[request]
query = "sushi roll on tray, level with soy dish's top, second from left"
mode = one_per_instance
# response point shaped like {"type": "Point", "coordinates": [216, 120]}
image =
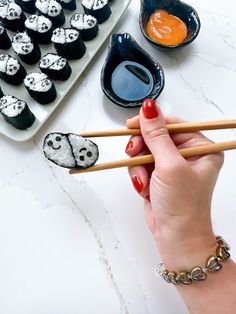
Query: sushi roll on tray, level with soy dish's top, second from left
{"type": "Point", "coordinates": [26, 48]}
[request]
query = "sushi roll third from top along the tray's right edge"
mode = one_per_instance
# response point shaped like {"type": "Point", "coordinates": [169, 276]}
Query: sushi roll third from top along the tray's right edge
{"type": "Point", "coordinates": [68, 43]}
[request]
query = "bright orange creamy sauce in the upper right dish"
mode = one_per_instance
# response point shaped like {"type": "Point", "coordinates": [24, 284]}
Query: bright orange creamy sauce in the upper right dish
{"type": "Point", "coordinates": [166, 28]}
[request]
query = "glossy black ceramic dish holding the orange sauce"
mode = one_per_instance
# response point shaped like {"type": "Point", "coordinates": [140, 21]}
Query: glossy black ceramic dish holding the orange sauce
{"type": "Point", "coordinates": [175, 7]}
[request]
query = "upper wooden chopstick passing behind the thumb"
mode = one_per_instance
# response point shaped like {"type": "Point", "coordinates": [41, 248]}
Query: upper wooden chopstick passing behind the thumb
{"type": "Point", "coordinates": [172, 128]}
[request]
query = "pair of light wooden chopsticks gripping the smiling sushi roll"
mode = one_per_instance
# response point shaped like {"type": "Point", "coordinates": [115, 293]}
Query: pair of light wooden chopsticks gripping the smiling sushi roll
{"type": "Point", "coordinates": [172, 128]}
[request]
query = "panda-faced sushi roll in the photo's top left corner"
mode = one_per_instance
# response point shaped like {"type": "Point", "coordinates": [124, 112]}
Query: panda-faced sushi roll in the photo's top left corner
{"type": "Point", "coordinates": [11, 15]}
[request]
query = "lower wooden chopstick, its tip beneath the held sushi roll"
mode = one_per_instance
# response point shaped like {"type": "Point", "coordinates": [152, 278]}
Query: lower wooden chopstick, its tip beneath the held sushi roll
{"type": "Point", "coordinates": [147, 159]}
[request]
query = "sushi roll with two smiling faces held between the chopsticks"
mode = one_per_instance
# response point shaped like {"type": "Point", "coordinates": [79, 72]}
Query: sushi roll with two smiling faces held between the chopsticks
{"type": "Point", "coordinates": [70, 150]}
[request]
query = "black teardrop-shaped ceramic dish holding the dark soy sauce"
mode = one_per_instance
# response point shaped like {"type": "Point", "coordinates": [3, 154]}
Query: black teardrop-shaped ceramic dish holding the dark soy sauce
{"type": "Point", "coordinates": [124, 49]}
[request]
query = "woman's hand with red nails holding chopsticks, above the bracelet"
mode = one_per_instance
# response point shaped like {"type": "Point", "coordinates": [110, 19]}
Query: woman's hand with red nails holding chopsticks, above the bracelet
{"type": "Point", "coordinates": [177, 191]}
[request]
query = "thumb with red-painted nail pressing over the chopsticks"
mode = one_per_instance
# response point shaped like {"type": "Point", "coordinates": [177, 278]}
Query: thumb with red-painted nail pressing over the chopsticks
{"type": "Point", "coordinates": [155, 134]}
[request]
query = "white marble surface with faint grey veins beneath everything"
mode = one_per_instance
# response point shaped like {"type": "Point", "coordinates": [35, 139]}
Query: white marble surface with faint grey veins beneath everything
{"type": "Point", "coordinates": [79, 244]}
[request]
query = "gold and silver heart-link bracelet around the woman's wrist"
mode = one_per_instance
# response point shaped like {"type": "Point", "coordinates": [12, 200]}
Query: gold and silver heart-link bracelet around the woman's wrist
{"type": "Point", "coordinates": [198, 273]}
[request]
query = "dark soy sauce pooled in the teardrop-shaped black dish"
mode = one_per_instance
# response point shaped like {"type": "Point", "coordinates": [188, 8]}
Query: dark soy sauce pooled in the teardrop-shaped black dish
{"type": "Point", "coordinates": [131, 81]}
